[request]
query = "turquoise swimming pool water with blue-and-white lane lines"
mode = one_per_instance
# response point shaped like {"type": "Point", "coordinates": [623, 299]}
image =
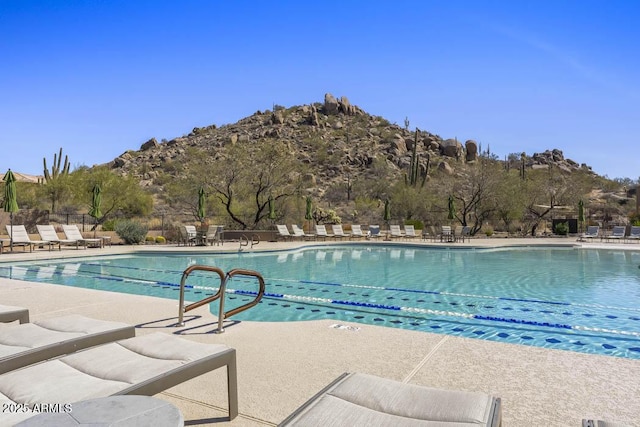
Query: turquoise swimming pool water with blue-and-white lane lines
{"type": "Point", "coordinates": [584, 300]}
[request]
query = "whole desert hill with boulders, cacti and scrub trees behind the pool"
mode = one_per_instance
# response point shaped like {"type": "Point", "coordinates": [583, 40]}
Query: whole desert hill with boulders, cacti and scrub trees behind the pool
{"type": "Point", "coordinates": [349, 163]}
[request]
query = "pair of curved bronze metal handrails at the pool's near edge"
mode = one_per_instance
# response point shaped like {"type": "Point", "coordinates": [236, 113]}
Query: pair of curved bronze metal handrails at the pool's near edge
{"type": "Point", "coordinates": [224, 278]}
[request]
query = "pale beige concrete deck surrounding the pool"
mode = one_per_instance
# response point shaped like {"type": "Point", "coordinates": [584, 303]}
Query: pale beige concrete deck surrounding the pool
{"type": "Point", "coordinates": [281, 365]}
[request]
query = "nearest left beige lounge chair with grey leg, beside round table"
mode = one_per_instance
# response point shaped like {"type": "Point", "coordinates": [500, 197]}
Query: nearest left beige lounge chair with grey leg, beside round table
{"type": "Point", "coordinates": [144, 365]}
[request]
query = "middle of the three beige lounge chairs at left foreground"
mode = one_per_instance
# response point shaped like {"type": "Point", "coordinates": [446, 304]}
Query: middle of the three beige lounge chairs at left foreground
{"type": "Point", "coordinates": [34, 342]}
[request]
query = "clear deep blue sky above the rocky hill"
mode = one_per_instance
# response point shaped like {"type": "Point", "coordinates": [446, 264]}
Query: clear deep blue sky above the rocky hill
{"type": "Point", "coordinates": [101, 77]}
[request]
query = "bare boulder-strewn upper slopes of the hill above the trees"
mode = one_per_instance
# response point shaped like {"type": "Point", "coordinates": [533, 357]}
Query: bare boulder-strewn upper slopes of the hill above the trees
{"type": "Point", "coordinates": [337, 139]}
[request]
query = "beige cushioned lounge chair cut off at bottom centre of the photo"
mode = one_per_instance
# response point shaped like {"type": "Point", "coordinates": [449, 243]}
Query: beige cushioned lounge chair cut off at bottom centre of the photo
{"type": "Point", "coordinates": [364, 400]}
